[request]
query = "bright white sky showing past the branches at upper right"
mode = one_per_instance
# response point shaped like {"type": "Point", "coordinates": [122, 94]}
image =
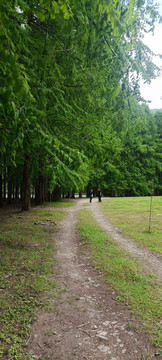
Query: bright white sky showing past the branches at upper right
{"type": "Point", "coordinates": [153, 91]}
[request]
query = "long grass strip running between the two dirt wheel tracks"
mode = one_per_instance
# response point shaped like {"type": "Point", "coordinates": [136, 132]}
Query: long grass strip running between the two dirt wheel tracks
{"type": "Point", "coordinates": [136, 289]}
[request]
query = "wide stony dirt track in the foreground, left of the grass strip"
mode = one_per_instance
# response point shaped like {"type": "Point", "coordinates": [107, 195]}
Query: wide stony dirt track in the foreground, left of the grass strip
{"type": "Point", "coordinates": [86, 322]}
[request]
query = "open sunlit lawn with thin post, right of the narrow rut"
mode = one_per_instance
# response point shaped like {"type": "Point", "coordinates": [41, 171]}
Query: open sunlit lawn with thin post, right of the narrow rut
{"type": "Point", "coordinates": [131, 215]}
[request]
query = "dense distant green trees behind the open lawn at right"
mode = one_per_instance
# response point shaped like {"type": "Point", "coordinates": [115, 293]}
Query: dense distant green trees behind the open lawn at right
{"type": "Point", "coordinates": [132, 158]}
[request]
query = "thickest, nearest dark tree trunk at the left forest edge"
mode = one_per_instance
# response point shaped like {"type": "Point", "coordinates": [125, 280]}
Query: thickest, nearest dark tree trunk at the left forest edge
{"type": "Point", "coordinates": [26, 204]}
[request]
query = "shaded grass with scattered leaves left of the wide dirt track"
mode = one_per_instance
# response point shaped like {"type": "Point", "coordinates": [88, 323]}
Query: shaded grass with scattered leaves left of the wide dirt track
{"type": "Point", "coordinates": [27, 261]}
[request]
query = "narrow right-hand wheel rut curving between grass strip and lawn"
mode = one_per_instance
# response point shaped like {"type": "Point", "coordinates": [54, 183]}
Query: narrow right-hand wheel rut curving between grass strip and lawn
{"type": "Point", "coordinates": [151, 262]}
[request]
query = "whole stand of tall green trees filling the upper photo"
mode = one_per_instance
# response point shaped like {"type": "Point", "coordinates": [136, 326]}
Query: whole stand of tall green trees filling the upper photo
{"type": "Point", "coordinates": [71, 113]}
